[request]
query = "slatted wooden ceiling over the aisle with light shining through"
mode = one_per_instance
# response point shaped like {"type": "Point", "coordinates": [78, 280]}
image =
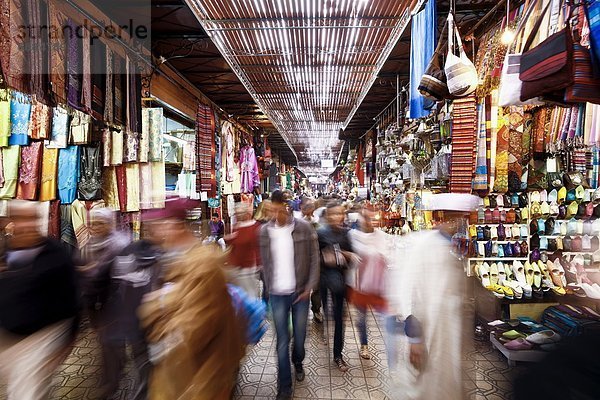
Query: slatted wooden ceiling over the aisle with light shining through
{"type": "Point", "coordinates": [307, 63]}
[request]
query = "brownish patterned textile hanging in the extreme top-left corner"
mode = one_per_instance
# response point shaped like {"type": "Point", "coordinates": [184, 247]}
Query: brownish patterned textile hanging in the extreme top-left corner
{"type": "Point", "coordinates": [15, 72]}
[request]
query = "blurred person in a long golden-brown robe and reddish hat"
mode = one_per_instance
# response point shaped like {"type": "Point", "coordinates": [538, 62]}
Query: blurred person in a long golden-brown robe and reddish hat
{"type": "Point", "coordinates": [196, 342]}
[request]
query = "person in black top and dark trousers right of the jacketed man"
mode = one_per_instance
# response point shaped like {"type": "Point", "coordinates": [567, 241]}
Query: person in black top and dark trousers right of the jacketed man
{"type": "Point", "coordinates": [336, 257]}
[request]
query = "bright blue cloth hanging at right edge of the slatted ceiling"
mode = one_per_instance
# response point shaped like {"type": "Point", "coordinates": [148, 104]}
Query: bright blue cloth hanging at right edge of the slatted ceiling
{"type": "Point", "coordinates": [423, 42]}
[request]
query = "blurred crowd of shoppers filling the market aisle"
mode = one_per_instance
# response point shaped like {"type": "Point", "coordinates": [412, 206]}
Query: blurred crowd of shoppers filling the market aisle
{"type": "Point", "coordinates": [168, 297]}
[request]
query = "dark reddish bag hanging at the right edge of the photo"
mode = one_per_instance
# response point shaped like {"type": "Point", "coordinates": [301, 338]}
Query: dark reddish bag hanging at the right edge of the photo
{"type": "Point", "coordinates": [585, 87]}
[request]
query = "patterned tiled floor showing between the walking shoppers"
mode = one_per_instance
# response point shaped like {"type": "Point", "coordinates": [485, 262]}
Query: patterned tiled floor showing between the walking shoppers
{"type": "Point", "coordinates": [487, 377]}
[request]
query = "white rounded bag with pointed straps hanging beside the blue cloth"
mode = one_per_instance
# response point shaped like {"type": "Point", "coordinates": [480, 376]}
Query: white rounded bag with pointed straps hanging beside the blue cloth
{"type": "Point", "coordinates": [460, 71]}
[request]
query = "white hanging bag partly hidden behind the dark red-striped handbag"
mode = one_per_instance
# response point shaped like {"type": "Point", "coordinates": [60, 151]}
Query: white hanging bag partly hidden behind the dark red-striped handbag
{"type": "Point", "coordinates": [510, 84]}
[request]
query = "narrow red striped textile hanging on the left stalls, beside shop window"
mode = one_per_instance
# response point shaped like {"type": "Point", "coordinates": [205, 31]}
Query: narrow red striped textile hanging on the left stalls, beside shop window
{"type": "Point", "coordinates": [205, 130]}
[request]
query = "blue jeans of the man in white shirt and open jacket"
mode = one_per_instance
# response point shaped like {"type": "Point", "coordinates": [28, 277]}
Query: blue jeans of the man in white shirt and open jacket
{"type": "Point", "coordinates": [281, 307]}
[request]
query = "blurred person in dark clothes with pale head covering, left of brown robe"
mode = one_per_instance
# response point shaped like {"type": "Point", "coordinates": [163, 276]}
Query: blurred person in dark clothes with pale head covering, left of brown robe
{"type": "Point", "coordinates": [100, 294]}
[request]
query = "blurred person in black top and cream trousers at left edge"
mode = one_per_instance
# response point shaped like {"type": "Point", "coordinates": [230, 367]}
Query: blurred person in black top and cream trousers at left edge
{"type": "Point", "coordinates": [38, 305]}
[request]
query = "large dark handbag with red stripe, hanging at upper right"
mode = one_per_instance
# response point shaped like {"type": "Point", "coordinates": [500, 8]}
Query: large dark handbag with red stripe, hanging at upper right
{"type": "Point", "coordinates": [547, 69]}
